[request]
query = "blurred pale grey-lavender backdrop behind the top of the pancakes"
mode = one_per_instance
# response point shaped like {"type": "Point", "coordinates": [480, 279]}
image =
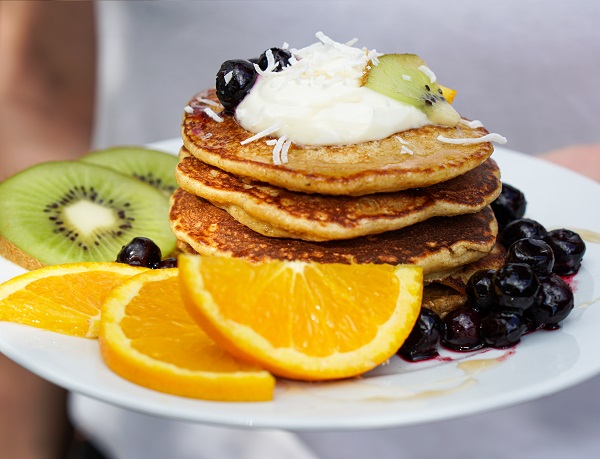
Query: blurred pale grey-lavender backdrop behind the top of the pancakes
{"type": "Point", "coordinates": [527, 70]}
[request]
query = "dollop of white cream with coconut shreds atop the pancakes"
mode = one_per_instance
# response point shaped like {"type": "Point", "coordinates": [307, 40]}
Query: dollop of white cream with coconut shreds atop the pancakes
{"type": "Point", "coordinates": [318, 99]}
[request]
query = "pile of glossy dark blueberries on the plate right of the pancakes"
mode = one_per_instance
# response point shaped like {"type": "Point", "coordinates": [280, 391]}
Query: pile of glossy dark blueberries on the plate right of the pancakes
{"type": "Point", "coordinates": [526, 294]}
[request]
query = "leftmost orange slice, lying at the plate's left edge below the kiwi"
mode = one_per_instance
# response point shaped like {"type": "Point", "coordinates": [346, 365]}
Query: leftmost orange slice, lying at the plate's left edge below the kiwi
{"type": "Point", "coordinates": [62, 298]}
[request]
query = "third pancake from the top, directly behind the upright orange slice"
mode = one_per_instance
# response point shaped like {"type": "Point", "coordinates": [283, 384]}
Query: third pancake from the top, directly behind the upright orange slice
{"type": "Point", "coordinates": [436, 244]}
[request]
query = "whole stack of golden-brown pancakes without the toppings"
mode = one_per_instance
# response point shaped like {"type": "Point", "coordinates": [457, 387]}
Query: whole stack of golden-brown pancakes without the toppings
{"type": "Point", "coordinates": [409, 198]}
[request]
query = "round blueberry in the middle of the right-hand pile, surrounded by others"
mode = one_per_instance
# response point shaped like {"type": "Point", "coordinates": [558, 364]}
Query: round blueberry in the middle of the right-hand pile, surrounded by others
{"type": "Point", "coordinates": [515, 286]}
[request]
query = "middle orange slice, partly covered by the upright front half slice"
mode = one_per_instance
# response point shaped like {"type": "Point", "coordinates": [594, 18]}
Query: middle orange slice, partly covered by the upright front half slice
{"type": "Point", "coordinates": [147, 337]}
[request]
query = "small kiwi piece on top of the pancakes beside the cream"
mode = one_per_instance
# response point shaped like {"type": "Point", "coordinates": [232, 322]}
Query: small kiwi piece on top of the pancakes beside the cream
{"type": "Point", "coordinates": [406, 78]}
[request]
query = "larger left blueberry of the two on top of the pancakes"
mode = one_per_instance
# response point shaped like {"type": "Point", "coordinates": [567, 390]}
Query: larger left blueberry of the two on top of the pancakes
{"type": "Point", "coordinates": [234, 80]}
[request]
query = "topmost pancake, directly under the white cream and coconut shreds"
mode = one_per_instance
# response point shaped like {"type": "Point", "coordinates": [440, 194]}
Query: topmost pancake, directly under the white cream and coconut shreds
{"type": "Point", "coordinates": [351, 170]}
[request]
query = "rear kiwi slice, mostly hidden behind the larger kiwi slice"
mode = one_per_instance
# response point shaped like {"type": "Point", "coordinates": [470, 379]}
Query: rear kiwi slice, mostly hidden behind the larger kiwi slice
{"type": "Point", "coordinates": [154, 167]}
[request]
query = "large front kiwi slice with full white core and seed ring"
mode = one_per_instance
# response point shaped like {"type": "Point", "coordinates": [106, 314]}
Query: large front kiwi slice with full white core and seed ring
{"type": "Point", "coordinates": [68, 211]}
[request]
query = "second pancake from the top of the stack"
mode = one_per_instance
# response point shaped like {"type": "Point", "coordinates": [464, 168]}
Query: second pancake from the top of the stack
{"type": "Point", "coordinates": [276, 212]}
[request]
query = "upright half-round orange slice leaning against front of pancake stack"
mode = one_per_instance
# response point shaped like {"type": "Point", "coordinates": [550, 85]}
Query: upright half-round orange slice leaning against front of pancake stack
{"type": "Point", "coordinates": [306, 321]}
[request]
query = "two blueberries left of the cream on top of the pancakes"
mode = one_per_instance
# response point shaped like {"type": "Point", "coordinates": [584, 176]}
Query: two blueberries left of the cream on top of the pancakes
{"type": "Point", "coordinates": [236, 77]}
